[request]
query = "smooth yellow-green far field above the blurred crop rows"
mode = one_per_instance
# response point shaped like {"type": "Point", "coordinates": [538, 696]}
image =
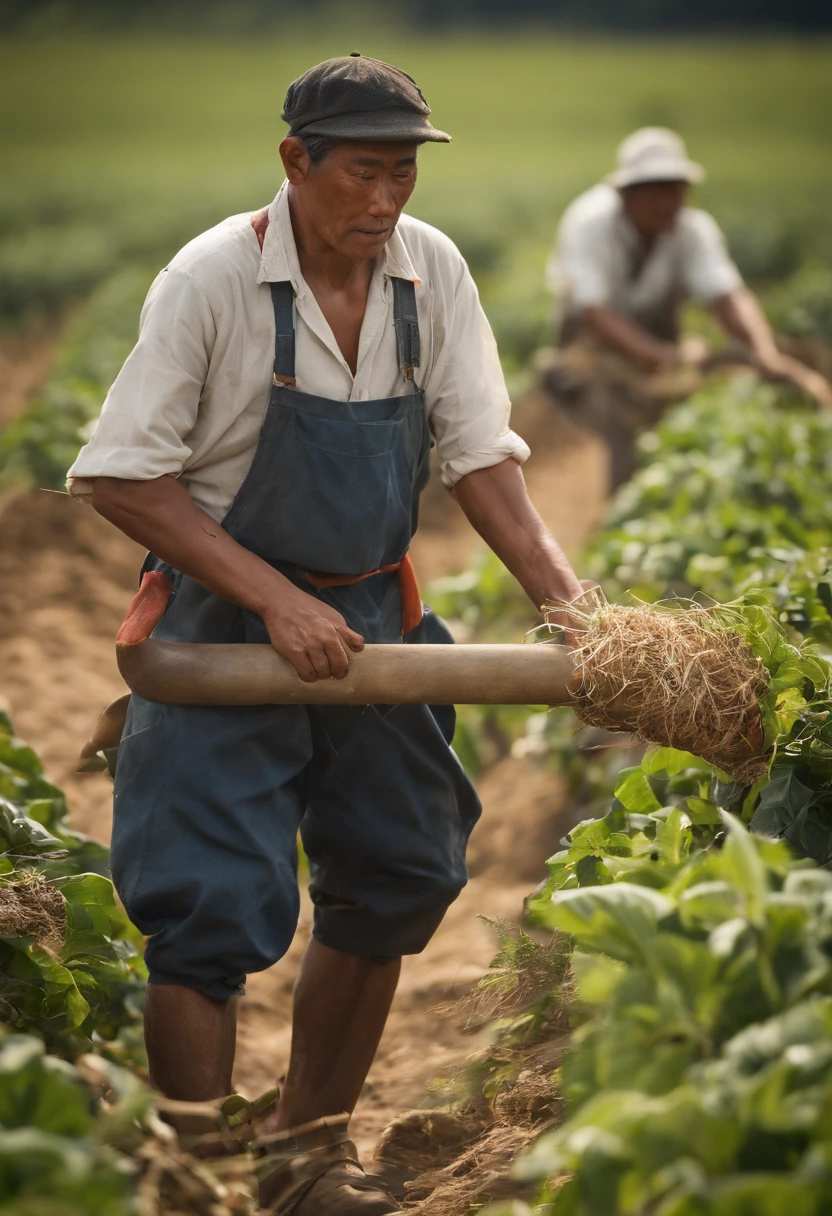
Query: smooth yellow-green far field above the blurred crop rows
{"type": "Point", "coordinates": [535, 120]}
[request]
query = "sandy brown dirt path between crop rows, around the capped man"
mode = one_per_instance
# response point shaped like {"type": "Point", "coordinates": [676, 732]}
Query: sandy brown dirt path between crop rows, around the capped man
{"type": "Point", "coordinates": [66, 578]}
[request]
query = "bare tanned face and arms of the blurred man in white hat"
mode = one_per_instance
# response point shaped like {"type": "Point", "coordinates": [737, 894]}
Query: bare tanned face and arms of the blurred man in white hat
{"type": "Point", "coordinates": [654, 209]}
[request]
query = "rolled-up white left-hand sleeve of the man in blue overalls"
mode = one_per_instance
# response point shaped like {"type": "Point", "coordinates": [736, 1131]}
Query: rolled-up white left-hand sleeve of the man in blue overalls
{"type": "Point", "coordinates": [153, 407]}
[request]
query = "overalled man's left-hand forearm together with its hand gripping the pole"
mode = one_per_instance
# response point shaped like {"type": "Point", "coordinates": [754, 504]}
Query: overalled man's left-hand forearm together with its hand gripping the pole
{"type": "Point", "coordinates": [161, 516]}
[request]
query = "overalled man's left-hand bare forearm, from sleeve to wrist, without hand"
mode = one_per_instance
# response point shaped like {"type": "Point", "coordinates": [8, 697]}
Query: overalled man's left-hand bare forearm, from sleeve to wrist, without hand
{"type": "Point", "coordinates": [161, 516]}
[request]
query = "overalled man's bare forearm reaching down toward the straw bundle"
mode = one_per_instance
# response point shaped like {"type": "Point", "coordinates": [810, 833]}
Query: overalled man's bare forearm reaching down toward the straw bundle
{"type": "Point", "coordinates": [498, 505]}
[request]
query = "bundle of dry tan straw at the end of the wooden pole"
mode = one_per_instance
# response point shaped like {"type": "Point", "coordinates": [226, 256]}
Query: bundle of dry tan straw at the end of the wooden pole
{"type": "Point", "coordinates": [677, 677]}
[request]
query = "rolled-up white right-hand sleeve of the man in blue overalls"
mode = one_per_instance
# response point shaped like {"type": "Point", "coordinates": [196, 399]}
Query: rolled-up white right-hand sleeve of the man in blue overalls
{"type": "Point", "coordinates": [466, 395]}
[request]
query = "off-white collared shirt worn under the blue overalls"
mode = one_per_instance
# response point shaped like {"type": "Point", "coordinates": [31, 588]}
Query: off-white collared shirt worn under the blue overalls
{"type": "Point", "coordinates": [193, 396]}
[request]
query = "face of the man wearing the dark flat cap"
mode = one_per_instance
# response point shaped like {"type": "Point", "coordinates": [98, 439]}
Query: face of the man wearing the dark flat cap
{"type": "Point", "coordinates": [353, 199]}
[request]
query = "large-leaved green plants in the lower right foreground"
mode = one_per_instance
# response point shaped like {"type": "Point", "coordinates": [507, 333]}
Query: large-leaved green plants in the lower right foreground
{"type": "Point", "coordinates": [700, 1080]}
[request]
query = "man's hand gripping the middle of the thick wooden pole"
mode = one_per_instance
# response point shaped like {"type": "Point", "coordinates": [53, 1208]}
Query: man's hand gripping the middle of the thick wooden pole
{"type": "Point", "coordinates": [313, 637]}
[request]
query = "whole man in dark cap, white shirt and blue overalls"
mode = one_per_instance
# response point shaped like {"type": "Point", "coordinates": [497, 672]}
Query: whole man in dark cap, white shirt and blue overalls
{"type": "Point", "coordinates": [268, 441]}
